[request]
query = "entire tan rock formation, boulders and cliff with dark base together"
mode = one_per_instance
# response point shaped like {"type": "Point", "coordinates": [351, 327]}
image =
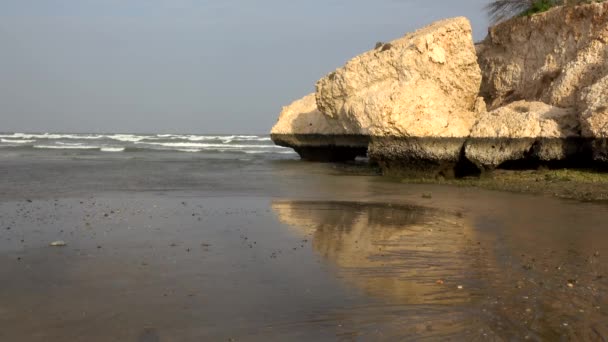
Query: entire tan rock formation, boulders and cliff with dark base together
{"type": "Point", "coordinates": [431, 103]}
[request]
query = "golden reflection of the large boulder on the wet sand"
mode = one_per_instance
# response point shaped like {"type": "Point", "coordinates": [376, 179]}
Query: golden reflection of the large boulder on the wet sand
{"type": "Point", "coordinates": [395, 252]}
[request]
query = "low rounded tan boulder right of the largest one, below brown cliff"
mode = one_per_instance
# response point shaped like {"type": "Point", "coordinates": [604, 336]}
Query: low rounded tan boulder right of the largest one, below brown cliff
{"type": "Point", "coordinates": [524, 133]}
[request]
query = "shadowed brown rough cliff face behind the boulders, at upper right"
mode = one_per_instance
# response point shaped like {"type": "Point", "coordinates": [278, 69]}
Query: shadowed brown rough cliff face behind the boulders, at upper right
{"type": "Point", "coordinates": [549, 57]}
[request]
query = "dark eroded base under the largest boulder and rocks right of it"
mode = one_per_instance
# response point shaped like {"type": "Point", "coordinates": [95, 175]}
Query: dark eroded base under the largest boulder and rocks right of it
{"type": "Point", "coordinates": [460, 157]}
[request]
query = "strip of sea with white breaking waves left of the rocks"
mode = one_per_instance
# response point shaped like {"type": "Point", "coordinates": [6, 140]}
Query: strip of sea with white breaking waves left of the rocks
{"type": "Point", "coordinates": [85, 143]}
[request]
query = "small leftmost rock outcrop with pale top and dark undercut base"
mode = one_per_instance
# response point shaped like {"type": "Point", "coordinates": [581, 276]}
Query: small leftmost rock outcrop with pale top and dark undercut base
{"type": "Point", "coordinates": [315, 136]}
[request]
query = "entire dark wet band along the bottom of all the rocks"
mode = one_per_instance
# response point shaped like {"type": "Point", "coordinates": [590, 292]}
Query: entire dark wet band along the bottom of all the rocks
{"type": "Point", "coordinates": [430, 158]}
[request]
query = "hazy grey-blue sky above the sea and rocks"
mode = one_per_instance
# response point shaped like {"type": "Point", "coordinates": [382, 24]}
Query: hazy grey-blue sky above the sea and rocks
{"type": "Point", "coordinates": [186, 66]}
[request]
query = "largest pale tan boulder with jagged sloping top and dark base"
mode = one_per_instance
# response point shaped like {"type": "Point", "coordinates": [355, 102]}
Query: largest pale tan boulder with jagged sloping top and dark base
{"type": "Point", "coordinates": [414, 96]}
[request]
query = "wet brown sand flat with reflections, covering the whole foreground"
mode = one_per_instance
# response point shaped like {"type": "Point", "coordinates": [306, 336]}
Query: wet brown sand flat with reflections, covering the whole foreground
{"type": "Point", "coordinates": [160, 248]}
